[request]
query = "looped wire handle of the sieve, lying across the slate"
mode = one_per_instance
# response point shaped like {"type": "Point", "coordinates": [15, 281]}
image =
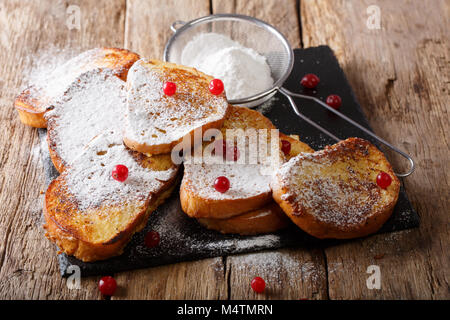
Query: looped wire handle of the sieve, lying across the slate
{"type": "Point", "coordinates": [288, 94]}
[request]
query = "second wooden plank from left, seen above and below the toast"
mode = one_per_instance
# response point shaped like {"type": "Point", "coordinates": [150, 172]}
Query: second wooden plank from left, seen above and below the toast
{"type": "Point", "coordinates": [147, 31]}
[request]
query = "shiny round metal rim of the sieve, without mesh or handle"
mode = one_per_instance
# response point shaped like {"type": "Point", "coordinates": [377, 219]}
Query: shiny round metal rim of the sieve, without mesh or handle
{"type": "Point", "coordinates": [287, 47]}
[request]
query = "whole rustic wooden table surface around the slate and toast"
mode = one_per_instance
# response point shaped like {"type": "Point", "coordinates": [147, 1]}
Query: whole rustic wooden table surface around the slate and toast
{"type": "Point", "coordinates": [400, 74]}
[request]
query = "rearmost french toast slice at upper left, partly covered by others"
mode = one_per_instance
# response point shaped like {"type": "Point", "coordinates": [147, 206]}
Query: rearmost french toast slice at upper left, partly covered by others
{"type": "Point", "coordinates": [33, 102]}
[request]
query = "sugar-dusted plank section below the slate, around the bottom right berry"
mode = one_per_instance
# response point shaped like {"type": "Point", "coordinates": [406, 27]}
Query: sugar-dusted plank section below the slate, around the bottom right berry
{"type": "Point", "coordinates": [293, 274]}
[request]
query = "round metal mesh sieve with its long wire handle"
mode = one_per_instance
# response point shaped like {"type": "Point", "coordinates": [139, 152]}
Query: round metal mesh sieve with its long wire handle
{"type": "Point", "coordinates": [269, 42]}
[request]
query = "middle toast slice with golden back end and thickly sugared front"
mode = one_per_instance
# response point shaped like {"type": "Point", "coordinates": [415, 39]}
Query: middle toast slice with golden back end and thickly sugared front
{"type": "Point", "coordinates": [249, 181]}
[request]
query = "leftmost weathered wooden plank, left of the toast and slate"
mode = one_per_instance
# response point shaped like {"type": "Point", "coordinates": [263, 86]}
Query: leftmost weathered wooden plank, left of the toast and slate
{"type": "Point", "coordinates": [28, 263]}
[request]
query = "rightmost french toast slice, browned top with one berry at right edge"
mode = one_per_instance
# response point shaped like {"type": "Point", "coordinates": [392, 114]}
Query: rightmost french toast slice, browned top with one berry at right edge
{"type": "Point", "coordinates": [333, 193]}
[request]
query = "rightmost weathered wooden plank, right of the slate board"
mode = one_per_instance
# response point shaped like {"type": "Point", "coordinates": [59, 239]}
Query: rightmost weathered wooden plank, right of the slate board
{"type": "Point", "coordinates": [400, 76]}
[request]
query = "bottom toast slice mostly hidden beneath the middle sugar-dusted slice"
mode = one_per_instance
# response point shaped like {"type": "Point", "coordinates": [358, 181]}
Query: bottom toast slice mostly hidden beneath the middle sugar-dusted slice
{"type": "Point", "coordinates": [268, 219]}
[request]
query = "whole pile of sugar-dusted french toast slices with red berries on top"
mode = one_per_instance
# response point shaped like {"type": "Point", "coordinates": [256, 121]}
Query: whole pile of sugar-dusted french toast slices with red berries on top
{"type": "Point", "coordinates": [119, 128]}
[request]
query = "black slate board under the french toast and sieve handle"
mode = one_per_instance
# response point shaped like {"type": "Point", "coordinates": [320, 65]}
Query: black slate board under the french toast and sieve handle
{"type": "Point", "coordinates": [183, 239]}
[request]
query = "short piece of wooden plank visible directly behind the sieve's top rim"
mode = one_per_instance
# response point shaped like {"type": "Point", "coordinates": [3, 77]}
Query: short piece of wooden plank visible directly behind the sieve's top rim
{"type": "Point", "coordinates": [282, 14]}
